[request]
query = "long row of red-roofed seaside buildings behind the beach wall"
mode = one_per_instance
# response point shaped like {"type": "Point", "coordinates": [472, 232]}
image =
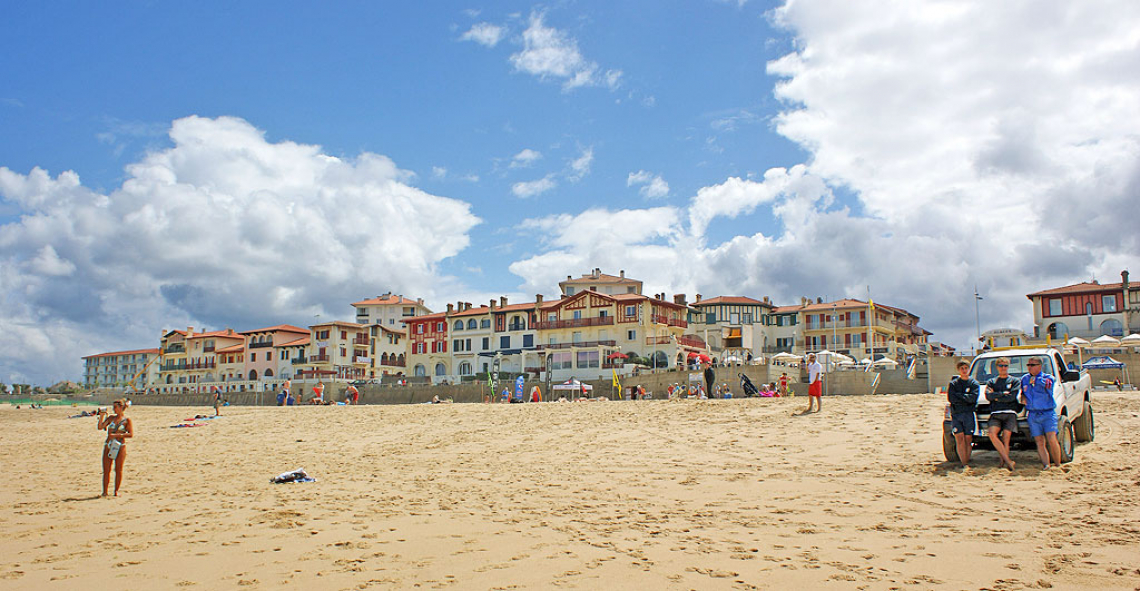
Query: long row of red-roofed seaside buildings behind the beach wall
{"type": "Point", "coordinates": [595, 327]}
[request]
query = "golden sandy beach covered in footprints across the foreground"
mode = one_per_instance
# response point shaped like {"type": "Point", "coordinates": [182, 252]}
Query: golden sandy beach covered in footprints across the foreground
{"type": "Point", "coordinates": [720, 495]}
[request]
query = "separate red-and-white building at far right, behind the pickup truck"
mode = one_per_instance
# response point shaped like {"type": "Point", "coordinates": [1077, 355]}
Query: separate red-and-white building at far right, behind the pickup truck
{"type": "Point", "coordinates": [1087, 310]}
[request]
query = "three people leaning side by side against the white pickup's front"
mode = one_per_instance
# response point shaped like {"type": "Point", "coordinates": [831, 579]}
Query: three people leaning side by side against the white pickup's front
{"type": "Point", "coordinates": [1007, 396]}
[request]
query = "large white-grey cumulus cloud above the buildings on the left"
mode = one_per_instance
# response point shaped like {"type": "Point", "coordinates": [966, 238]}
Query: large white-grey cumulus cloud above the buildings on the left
{"type": "Point", "coordinates": [223, 229]}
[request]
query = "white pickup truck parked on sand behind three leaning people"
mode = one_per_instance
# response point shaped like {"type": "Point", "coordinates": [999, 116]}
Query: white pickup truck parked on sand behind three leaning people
{"type": "Point", "coordinates": [1071, 394]}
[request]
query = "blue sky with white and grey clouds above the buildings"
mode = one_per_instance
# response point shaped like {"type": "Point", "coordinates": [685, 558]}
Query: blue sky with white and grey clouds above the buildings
{"type": "Point", "coordinates": [218, 165]}
